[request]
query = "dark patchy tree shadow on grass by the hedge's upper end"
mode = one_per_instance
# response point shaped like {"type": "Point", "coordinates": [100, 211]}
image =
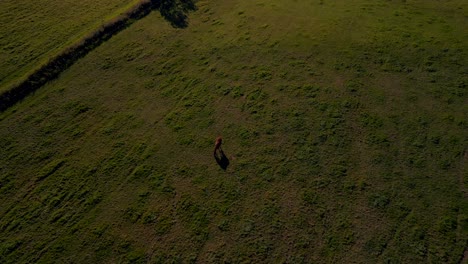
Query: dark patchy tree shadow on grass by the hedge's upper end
{"type": "Point", "coordinates": [175, 11]}
